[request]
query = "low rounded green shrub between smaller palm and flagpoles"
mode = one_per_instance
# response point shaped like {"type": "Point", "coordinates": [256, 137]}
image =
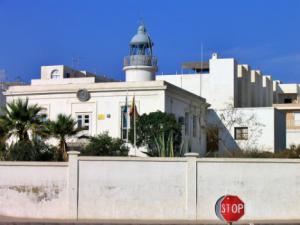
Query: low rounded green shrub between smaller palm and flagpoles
{"type": "Point", "coordinates": [104, 145]}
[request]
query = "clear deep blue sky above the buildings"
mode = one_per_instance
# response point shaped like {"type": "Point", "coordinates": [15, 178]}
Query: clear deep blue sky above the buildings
{"type": "Point", "coordinates": [262, 33]}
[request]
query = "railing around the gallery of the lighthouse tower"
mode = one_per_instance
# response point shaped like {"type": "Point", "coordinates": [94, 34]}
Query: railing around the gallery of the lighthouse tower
{"type": "Point", "coordinates": [140, 60]}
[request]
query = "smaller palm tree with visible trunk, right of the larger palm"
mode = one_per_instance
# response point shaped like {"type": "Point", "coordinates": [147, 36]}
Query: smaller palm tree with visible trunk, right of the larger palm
{"type": "Point", "coordinates": [62, 128]}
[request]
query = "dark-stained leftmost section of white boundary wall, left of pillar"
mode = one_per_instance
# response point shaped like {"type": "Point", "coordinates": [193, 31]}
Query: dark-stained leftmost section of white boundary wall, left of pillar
{"type": "Point", "coordinates": [34, 189]}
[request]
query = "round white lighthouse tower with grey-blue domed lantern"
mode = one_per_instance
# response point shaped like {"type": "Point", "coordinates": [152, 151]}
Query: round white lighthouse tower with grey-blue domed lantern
{"type": "Point", "coordinates": [140, 65]}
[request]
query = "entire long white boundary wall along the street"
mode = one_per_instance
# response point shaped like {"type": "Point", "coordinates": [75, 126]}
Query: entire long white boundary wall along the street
{"type": "Point", "coordinates": [149, 188]}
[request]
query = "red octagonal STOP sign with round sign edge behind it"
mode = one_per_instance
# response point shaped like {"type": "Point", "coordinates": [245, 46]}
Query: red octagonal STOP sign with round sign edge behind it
{"type": "Point", "coordinates": [230, 208]}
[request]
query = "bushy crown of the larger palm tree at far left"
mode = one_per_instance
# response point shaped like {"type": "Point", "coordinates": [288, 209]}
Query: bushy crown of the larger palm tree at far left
{"type": "Point", "coordinates": [19, 118]}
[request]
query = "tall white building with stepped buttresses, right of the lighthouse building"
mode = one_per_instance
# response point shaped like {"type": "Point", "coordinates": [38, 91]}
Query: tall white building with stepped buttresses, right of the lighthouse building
{"type": "Point", "coordinates": [241, 114]}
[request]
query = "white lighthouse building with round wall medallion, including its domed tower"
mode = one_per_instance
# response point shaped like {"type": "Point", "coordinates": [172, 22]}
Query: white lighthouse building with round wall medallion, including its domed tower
{"type": "Point", "coordinates": [98, 104]}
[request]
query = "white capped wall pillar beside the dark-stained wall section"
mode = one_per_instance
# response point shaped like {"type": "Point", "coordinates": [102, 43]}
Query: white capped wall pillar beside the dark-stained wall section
{"type": "Point", "coordinates": [73, 184]}
